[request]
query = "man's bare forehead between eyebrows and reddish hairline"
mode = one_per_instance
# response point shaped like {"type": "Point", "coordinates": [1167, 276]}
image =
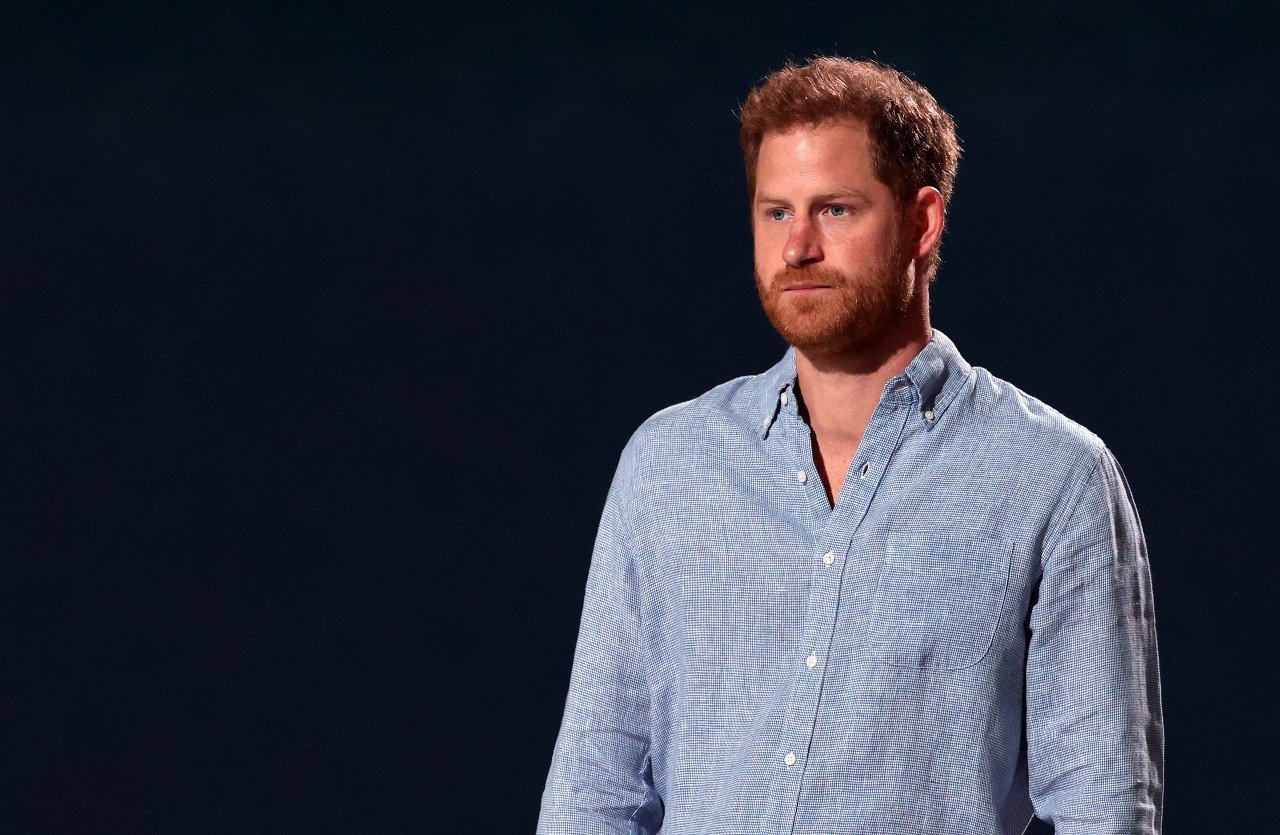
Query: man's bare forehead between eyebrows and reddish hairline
{"type": "Point", "coordinates": [833, 149]}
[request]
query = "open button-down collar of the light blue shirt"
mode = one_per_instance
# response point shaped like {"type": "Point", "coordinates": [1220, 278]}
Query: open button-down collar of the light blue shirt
{"type": "Point", "coordinates": [930, 384]}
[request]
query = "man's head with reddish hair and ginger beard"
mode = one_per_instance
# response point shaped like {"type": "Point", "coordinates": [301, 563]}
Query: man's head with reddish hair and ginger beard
{"type": "Point", "coordinates": [849, 167]}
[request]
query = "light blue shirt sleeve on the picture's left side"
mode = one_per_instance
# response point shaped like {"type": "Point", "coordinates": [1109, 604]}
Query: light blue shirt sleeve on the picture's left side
{"type": "Point", "coordinates": [600, 779]}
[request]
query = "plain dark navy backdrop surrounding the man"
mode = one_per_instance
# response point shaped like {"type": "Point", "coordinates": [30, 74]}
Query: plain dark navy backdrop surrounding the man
{"type": "Point", "coordinates": [326, 328]}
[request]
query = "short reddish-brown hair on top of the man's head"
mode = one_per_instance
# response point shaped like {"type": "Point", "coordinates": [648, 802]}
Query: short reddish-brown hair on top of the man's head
{"type": "Point", "coordinates": [913, 140]}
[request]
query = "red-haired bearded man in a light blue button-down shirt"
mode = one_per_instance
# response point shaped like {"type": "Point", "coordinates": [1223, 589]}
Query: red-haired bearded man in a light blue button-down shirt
{"type": "Point", "coordinates": [875, 588]}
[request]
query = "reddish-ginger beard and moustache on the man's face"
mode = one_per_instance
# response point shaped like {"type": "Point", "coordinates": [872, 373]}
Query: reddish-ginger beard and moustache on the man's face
{"type": "Point", "coordinates": [858, 311]}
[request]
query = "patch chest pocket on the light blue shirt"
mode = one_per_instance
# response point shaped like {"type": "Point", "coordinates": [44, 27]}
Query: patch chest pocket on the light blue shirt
{"type": "Point", "coordinates": [940, 599]}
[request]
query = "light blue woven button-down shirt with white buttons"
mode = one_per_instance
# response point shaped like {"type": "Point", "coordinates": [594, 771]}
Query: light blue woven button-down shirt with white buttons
{"type": "Point", "coordinates": [964, 641]}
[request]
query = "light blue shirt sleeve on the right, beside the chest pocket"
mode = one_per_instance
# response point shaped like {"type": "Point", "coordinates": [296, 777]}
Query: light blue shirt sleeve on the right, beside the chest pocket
{"type": "Point", "coordinates": [1095, 726]}
